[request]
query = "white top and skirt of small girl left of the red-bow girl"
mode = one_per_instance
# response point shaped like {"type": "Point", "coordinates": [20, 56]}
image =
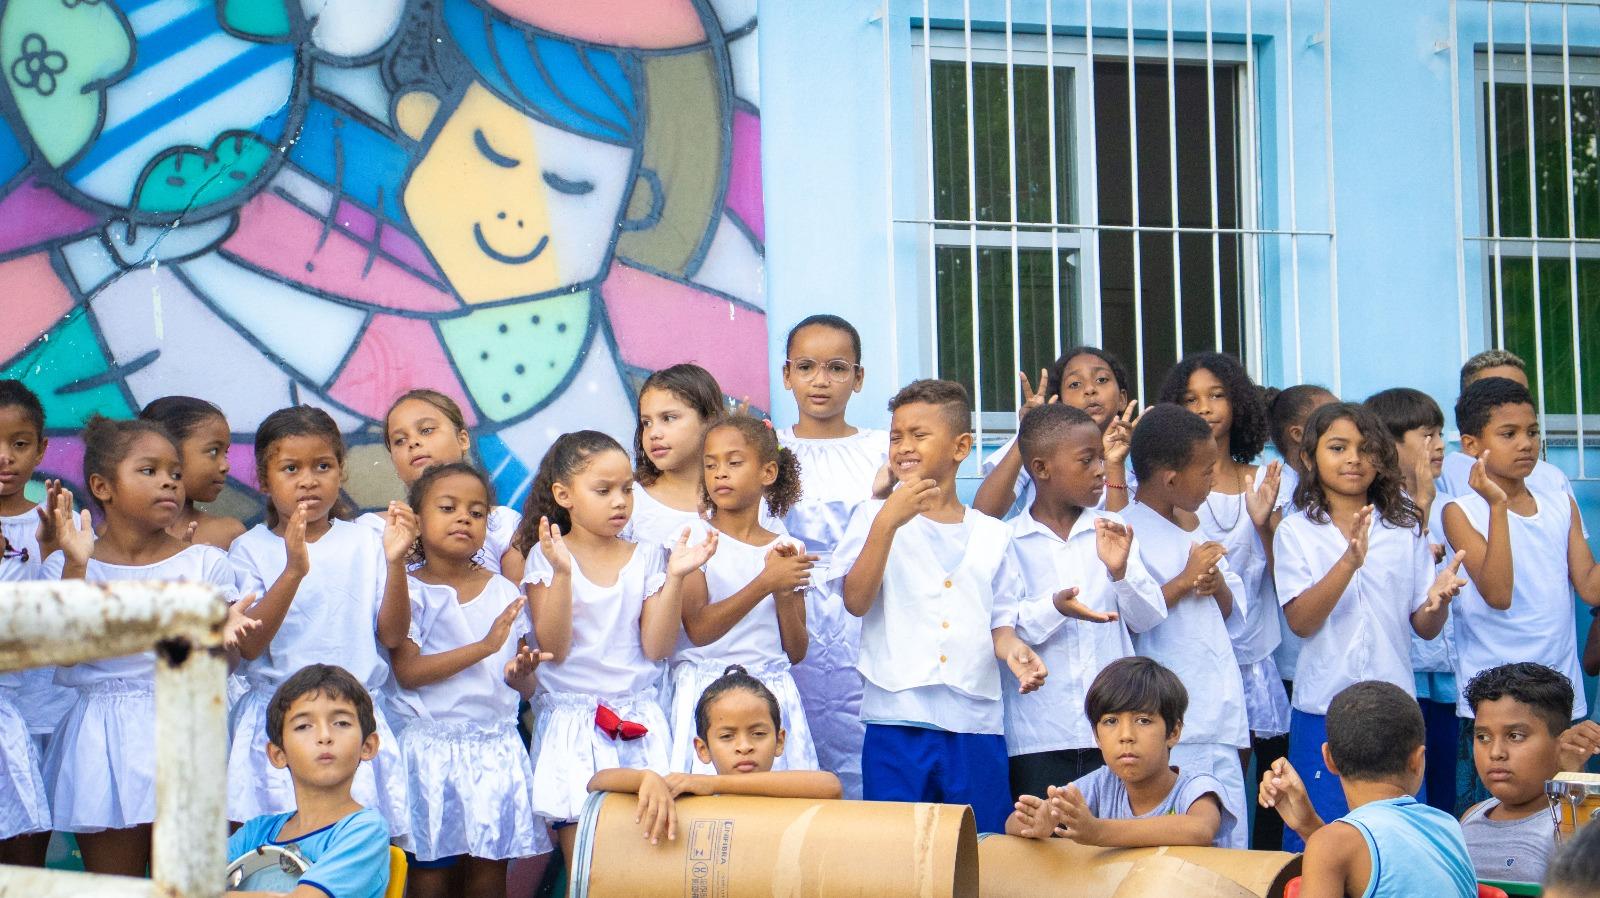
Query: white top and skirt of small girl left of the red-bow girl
{"type": "Point", "coordinates": [471, 782]}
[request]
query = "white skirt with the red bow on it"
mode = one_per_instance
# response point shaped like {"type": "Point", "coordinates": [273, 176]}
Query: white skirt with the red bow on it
{"type": "Point", "coordinates": [569, 750]}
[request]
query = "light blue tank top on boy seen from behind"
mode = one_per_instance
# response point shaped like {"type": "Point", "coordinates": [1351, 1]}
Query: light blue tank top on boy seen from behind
{"type": "Point", "coordinates": [1415, 849]}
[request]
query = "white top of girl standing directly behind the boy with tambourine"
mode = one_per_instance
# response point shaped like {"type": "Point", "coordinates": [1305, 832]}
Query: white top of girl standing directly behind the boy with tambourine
{"type": "Point", "coordinates": [334, 619]}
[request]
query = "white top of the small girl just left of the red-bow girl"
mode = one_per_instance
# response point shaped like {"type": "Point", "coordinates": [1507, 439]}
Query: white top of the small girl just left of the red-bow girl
{"type": "Point", "coordinates": [441, 622]}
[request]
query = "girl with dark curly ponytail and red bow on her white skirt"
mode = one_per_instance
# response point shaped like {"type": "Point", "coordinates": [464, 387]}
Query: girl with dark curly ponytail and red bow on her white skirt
{"type": "Point", "coordinates": [609, 612]}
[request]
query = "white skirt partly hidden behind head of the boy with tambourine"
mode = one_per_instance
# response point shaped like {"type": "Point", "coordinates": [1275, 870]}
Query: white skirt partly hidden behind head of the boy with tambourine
{"type": "Point", "coordinates": [257, 788]}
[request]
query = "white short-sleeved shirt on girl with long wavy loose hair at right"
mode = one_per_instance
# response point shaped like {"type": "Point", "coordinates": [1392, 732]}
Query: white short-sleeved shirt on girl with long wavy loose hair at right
{"type": "Point", "coordinates": [1369, 633]}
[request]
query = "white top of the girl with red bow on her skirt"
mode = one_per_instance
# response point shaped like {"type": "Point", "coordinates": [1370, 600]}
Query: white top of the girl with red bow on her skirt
{"type": "Point", "coordinates": [607, 657]}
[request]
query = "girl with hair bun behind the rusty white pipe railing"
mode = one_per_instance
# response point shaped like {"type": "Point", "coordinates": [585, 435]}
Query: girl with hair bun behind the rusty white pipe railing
{"type": "Point", "coordinates": [102, 766]}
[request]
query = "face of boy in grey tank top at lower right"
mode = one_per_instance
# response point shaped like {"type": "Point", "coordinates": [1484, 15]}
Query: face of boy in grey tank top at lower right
{"type": "Point", "coordinates": [1513, 750]}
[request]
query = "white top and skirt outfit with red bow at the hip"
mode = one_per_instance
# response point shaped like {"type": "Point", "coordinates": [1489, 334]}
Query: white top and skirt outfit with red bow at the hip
{"type": "Point", "coordinates": [606, 667]}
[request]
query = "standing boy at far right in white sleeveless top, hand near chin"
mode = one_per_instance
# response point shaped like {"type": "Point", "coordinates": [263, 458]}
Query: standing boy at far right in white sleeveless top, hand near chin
{"type": "Point", "coordinates": [1524, 545]}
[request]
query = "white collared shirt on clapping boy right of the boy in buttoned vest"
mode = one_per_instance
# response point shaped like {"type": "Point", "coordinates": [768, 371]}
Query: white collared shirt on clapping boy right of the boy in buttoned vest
{"type": "Point", "coordinates": [1076, 652]}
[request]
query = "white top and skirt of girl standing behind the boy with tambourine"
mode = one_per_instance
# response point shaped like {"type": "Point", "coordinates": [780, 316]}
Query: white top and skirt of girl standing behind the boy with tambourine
{"type": "Point", "coordinates": [334, 620]}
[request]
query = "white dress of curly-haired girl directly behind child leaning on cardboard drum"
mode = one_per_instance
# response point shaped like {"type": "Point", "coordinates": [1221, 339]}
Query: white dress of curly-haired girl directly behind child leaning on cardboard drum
{"type": "Point", "coordinates": [758, 646]}
